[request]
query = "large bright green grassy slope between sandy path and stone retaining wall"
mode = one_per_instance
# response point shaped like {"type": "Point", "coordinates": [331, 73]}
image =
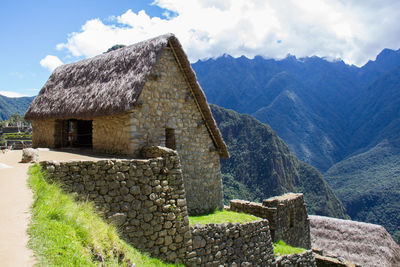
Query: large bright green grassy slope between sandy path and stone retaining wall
{"type": "Point", "coordinates": [68, 233]}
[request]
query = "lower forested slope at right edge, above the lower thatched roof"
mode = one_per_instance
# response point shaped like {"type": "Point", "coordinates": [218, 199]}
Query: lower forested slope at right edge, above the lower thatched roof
{"type": "Point", "coordinates": [369, 185]}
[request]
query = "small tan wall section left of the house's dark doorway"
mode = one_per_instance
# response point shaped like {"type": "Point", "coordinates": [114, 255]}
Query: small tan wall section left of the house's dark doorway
{"type": "Point", "coordinates": [43, 133]}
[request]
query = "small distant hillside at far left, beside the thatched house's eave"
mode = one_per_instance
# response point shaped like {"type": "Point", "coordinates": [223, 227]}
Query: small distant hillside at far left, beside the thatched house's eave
{"type": "Point", "coordinates": [12, 105]}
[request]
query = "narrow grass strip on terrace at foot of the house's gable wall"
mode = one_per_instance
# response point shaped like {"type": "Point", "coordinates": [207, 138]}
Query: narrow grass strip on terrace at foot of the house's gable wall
{"type": "Point", "coordinates": [222, 217]}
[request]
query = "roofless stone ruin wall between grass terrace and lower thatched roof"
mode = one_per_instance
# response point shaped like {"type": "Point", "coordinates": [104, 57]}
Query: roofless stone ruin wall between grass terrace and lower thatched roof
{"type": "Point", "coordinates": [286, 214]}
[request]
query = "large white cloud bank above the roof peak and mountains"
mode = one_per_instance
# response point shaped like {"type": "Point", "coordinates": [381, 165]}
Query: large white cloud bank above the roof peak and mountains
{"type": "Point", "coordinates": [352, 30]}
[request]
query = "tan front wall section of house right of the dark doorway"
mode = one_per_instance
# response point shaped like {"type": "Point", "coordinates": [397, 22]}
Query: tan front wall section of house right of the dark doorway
{"type": "Point", "coordinates": [111, 134]}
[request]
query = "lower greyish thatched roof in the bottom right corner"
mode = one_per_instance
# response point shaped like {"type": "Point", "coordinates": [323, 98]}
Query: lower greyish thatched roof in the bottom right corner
{"type": "Point", "coordinates": [364, 244]}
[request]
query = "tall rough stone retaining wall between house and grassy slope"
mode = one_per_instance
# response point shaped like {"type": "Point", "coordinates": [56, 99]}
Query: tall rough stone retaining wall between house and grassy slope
{"type": "Point", "coordinates": [145, 199]}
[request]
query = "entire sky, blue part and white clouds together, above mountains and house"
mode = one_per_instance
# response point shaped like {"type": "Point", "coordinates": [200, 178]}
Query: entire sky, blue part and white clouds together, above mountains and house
{"type": "Point", "coordinates": [39, 35]}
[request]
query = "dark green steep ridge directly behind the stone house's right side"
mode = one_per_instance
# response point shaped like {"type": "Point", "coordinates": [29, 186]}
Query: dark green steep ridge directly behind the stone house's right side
{"type": "Point", "coordinates": [261, 166]}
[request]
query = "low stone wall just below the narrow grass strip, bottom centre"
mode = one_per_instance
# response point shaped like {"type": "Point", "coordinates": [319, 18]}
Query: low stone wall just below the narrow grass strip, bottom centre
{"type": "Point", "coordinates": [229, 244]}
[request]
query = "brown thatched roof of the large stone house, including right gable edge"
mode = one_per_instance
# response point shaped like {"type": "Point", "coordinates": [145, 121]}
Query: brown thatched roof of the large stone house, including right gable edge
{"type": "Point", "coordinates": [111, 83]}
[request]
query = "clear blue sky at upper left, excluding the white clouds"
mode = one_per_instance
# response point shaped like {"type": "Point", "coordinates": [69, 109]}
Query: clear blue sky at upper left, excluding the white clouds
{"type": "Point", "coordinates": [31, 29]}
